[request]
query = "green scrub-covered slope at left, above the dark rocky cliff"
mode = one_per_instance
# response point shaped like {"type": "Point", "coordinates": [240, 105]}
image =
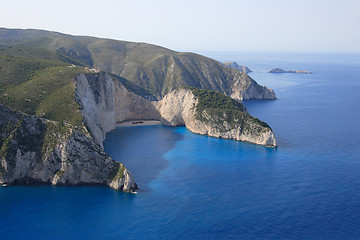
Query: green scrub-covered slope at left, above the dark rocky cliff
{"type": "Point", "coordinates": [41, 87]}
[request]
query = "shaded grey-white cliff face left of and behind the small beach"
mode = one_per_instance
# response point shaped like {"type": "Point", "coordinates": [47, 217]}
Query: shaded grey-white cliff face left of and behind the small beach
{"type": "Point", "coordinates": [105, 102]}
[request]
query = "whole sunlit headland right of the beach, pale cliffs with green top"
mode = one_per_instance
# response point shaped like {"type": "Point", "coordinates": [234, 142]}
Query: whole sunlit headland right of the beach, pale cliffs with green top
{"type": "Point", "coordinates": [209, 113]}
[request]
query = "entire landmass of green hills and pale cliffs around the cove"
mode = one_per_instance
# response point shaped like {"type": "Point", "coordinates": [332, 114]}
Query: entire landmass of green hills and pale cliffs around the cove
{"type": "Point", "coordinates": [74, 90]}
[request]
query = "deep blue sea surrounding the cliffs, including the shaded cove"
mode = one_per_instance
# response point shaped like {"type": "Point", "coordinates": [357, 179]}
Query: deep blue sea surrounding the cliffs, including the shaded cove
{"type": "Point", "coordinates": [199, 187]}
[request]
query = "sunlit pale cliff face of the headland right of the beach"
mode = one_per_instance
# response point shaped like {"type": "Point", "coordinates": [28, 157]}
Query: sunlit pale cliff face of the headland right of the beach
{"type": "Point", "coordinates": [178, 108]}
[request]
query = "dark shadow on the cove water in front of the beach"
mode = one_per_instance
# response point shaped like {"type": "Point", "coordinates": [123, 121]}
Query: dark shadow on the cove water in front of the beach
{"type": "Point", "coordinates": [141, 149]}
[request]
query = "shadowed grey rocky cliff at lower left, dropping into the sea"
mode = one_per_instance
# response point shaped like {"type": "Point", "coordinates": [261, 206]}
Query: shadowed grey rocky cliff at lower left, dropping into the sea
{"type": "Point", "coordinates": [42, 151]}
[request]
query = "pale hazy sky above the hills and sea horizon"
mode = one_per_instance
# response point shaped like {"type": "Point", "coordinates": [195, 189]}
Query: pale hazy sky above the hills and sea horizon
{"type": "Point", "coordinates": [202, 25]}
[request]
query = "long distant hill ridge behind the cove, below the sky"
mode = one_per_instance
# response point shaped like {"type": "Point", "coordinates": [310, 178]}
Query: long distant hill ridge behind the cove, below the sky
{"type": "Point", "coordinates": [155, 69]}
